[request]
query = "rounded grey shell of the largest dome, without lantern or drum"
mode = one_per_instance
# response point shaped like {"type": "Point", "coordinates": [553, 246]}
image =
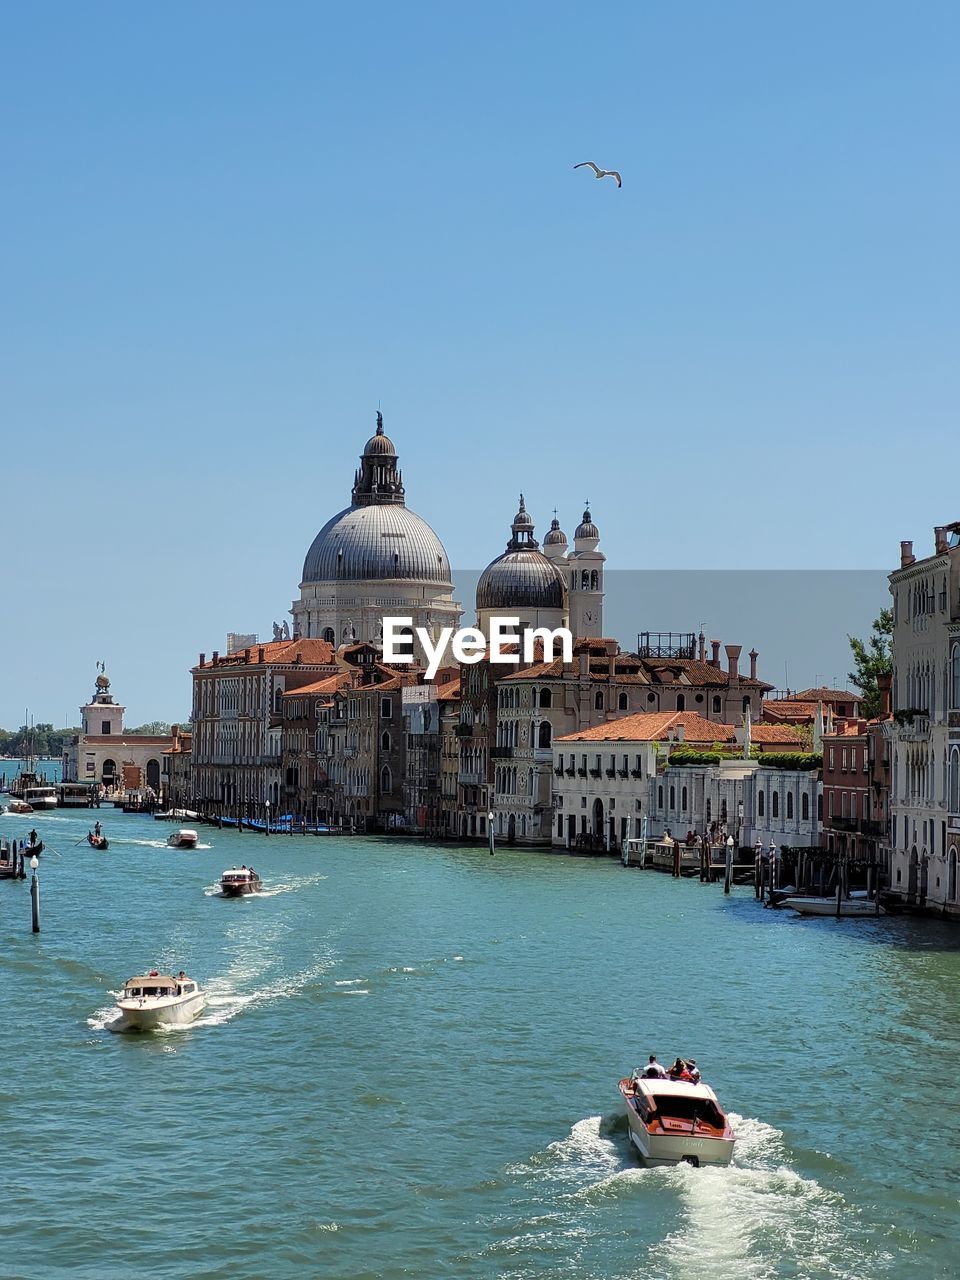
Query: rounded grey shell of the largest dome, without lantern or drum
{"type": "Point", "coordinates": [377, 542]}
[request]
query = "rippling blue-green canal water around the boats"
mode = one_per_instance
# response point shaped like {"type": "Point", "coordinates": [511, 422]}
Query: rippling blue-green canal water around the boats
{"type": "Point", "coordinates": [409, 1068]}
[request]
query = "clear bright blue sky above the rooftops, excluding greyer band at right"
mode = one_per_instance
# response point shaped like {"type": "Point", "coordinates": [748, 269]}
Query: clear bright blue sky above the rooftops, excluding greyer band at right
{"type": "Point", "coordinates": [231, 230]}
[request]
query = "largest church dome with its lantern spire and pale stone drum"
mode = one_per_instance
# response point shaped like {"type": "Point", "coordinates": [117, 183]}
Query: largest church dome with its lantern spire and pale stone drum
{"type": "Point", "coordinates": [374, 559]}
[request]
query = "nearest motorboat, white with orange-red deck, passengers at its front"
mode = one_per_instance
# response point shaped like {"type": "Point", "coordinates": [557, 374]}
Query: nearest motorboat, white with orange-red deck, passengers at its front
{"type": "Point", "coordinates": [675, 1122]}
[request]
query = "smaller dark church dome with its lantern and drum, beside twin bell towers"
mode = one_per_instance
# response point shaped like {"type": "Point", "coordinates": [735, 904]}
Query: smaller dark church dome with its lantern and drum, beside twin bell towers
{"type": "Point", "coordinates": [523, 583]}
